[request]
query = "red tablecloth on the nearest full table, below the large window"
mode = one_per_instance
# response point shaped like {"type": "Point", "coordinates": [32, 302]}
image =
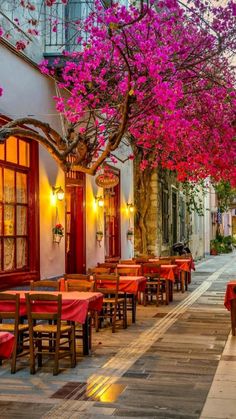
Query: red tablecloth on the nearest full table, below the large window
{"type": "Point", "coordinates": [75, 305]}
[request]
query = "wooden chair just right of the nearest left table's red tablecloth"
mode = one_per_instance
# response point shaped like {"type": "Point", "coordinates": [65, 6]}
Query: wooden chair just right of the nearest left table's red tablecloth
{"type": "Point", "coordinates": [114, 307]}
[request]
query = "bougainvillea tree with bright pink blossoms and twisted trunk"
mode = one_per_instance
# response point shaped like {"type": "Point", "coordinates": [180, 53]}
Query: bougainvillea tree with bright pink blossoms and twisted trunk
{"type": "Point", "coordinates": [160, 75]}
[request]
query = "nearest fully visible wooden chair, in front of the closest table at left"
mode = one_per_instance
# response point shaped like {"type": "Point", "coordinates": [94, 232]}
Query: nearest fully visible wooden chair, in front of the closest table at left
{"type": "Point", "coordinates": [45, 338]}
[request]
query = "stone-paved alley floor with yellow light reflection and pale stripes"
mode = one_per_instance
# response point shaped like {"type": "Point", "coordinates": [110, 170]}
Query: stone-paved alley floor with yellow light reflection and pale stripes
{"type": "Point", "coordinates": [161, 367]}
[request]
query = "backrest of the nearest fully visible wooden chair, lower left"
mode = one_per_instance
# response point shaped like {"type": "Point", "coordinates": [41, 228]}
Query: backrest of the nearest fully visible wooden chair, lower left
{"type": "Point", "coordinates": [43, 307]}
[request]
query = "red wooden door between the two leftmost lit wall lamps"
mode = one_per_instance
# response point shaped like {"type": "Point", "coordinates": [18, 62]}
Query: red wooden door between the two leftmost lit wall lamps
{"type": "Point", "coordinates": [75, 229]}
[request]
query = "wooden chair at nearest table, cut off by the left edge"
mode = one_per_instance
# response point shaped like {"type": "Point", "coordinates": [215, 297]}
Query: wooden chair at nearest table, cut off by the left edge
{"type": "Point", "coordinates": [20, 331]}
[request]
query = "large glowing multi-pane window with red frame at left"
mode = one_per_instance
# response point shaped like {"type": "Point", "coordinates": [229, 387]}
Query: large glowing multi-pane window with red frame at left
{"type": "Point", "coordinates": [18, 212]}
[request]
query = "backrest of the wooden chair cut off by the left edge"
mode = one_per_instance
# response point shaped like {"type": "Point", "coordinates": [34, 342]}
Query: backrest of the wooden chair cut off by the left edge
{"type": "Point", "coordinates": [11, 302]}
